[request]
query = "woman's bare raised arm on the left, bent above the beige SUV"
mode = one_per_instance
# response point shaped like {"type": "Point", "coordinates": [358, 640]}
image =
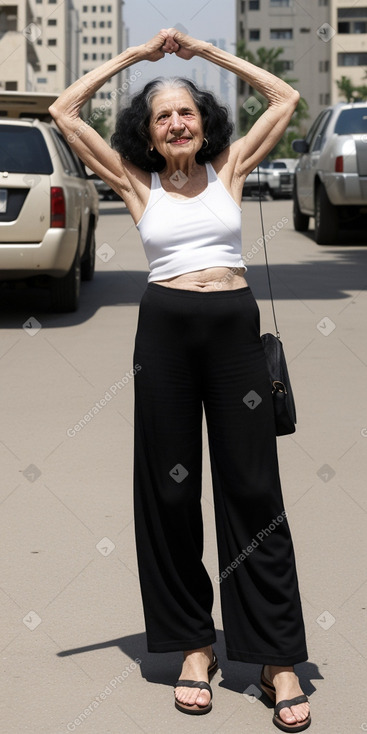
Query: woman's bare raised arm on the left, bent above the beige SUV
{"type": "Point", "coordinates": [122, 176]}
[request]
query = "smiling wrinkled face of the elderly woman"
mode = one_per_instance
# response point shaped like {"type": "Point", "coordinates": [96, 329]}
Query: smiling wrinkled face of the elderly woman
{"type": "Point", "coordinates": [175, 126]}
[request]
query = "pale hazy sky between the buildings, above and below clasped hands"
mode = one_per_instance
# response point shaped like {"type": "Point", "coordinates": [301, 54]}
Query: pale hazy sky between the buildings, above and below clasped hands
{"type": "Point", "coordinates": [202, 19]}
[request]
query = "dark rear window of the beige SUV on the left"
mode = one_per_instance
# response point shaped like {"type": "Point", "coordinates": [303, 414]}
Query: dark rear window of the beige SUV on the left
{"type": "Point", "coordinates": [23, 150]}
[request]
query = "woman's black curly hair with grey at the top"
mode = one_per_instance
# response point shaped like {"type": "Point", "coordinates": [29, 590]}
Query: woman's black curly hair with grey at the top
{"type": "Point", "coordinates": [131, 137]}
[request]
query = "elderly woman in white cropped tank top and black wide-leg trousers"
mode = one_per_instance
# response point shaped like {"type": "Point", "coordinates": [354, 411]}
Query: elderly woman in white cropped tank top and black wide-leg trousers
{"type": "Point", "coordinates": [198, 345]}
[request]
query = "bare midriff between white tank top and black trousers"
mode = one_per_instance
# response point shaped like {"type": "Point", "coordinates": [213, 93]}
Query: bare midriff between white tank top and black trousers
{"type": "Point", "coordinates": [209, 279]}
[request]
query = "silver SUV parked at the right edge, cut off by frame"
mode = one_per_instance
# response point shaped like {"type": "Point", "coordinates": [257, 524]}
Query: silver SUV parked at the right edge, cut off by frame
{"type": "Point", "coordinates": [331, 175]}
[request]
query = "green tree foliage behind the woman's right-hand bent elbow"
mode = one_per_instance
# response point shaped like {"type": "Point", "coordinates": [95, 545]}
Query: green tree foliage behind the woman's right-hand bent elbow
{"type": "Point", "coordinates": [269, 59]}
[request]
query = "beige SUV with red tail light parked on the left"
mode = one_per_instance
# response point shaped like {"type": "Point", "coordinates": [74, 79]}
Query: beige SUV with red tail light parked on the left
{"type": "Point", "coordinates": [48, 211]}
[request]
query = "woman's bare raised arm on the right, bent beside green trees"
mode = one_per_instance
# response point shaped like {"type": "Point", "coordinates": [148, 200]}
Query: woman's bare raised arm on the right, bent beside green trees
{"type": "Point", "coordinates": [251, 149]}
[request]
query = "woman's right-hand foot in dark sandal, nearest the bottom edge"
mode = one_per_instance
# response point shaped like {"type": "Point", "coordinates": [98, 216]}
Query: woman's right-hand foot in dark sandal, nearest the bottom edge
{"type": "Point", "coordinates": [285, 685]}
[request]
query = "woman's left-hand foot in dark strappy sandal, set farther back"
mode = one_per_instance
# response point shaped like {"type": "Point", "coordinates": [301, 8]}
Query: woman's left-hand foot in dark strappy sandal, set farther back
{"type": "Point", "coordinates": [195, 667]}
